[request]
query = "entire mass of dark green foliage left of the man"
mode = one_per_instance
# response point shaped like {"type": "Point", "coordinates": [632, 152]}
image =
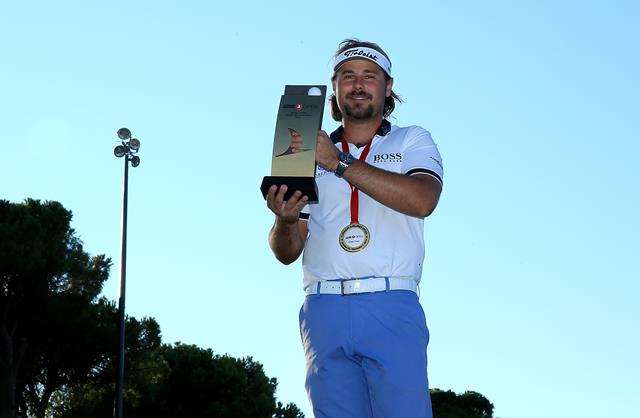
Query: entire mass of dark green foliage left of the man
{"type": "Point", "coordinates": [58, 340]}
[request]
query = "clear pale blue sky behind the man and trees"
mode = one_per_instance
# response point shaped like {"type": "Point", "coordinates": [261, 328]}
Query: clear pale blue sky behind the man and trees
{"type": "Point", "coordinates": [531, 281]}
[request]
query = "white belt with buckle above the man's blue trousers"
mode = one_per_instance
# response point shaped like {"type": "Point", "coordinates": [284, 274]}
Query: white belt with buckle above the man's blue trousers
{"type": "Point", "coordinates": [367, 285]}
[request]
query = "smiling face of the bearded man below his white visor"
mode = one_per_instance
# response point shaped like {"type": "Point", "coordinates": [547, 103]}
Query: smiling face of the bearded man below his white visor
{"type": "Point", "coordinates": [361, 89]}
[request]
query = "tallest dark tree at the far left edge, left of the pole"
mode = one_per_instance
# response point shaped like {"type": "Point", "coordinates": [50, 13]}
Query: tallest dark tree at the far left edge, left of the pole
{"type": "Point", "coordinates": [47, 284]}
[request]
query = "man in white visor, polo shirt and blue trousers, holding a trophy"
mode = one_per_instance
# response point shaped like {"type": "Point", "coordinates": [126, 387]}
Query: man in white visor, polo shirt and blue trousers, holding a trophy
{"type": "Point", "coordinates": [362, 326]}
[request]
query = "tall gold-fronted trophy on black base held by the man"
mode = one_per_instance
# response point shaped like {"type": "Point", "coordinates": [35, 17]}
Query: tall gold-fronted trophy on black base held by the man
{"type": "Point", "coordinates": [293, 161]}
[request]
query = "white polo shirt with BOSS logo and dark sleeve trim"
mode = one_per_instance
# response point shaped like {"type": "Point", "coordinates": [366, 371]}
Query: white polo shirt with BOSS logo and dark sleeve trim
{"type": "Point", "coordinates": [396, 246]}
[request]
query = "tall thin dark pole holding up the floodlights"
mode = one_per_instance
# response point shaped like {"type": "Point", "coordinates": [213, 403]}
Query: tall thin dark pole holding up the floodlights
{"type": "Point", "coordinates": [121, 300]}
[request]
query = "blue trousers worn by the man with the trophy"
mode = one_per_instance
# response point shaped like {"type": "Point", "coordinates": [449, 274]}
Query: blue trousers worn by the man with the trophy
{"type": "Point", "coordinates": [366, 355]}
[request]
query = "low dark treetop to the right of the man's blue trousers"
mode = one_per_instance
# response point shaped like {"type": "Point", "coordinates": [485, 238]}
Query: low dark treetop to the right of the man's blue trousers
{"type": "Point", "coordinates": [447, 404]}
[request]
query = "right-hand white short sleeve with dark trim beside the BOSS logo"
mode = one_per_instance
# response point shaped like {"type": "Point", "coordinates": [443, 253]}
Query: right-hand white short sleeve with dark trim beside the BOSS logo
{"type": "Point", "coordinates": [420, 154]}
